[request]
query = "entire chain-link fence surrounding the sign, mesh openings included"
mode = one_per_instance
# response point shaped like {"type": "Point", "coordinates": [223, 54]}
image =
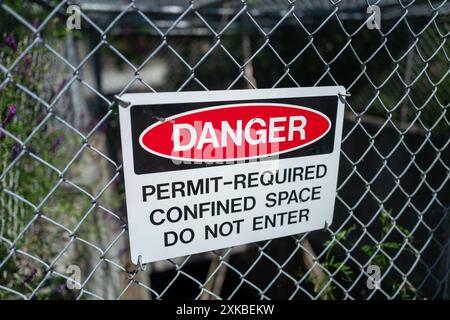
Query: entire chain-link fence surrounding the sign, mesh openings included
{"type": "Point", "coordinates": [63, 230]}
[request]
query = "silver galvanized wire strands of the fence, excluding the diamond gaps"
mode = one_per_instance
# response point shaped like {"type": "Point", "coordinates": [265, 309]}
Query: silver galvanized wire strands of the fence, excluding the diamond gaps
{"type": "Point", "coordinates": [321, 277]}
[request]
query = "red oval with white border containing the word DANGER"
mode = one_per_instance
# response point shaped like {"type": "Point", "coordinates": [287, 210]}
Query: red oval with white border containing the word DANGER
{"type": "Point", "coordinates": [235, 132]}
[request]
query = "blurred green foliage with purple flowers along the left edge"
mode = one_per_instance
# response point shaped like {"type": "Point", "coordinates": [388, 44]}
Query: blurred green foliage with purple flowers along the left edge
{"type": "Point", "coordinates": [21, 116]}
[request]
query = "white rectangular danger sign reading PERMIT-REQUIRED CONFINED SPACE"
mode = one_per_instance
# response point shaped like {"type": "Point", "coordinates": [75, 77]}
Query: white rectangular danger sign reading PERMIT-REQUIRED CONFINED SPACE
{"type": "Point", "coordinates": [215, 169]}
